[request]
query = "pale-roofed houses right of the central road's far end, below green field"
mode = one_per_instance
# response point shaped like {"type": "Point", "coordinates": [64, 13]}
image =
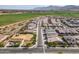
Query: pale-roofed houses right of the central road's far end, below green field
{"type": "Point", "coordinates": [51, 21]}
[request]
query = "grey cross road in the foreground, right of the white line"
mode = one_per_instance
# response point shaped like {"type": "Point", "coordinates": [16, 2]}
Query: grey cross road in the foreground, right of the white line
{"type": "Point", "coordinates": [55, 50]}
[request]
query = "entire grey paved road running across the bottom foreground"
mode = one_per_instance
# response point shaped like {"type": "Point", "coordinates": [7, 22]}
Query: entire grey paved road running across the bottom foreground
{"type": "Point", "coordinates": [39, 50]}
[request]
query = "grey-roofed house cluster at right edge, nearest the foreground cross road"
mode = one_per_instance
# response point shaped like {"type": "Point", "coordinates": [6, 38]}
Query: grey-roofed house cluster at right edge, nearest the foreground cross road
{"type": "Point", "coordinates": [71, 40]}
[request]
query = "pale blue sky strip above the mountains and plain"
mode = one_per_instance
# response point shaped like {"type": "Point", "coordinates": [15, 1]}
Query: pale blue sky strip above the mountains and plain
{"type": "Point", "coordinates": [26, 7]}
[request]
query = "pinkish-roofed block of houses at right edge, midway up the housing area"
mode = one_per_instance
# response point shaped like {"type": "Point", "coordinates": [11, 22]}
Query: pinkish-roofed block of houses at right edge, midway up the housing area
{"type": "Point", "coordinates": [67, 31]}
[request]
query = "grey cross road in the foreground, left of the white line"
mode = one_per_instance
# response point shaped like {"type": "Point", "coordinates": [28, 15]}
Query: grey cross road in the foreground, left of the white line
{"type": "Point", "coordinates": [25, 50]}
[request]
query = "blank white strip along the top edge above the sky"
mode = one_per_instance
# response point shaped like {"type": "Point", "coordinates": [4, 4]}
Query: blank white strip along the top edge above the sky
{"type": "Point", "coordinates": [39, 2]}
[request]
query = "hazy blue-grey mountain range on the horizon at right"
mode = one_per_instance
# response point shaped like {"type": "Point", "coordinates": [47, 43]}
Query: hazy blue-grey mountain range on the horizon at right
{"type": "Point", "coordinates": [59, 8]}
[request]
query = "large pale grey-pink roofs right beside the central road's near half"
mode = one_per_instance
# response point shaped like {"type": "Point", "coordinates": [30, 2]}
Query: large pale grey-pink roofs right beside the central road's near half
{"type": "Point", "coordinates": [51, 35]}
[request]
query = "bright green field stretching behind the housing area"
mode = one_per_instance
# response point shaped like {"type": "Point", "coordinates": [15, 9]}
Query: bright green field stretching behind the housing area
{"type": "Point", "coordinates": [11, 18]}
